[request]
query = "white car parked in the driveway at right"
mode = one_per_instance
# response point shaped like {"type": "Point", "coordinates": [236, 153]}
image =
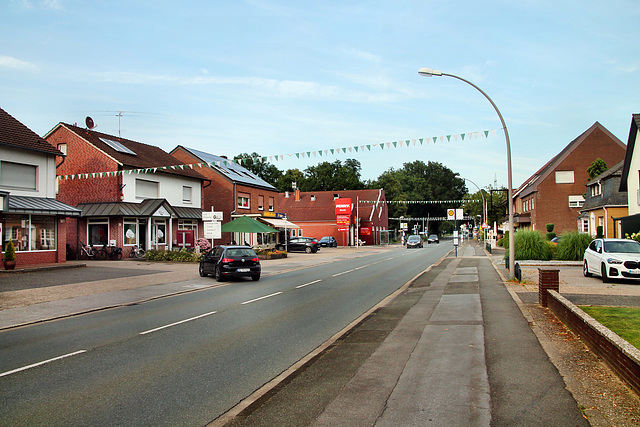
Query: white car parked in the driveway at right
{"type": "Point", "coordinates": [612, 258]}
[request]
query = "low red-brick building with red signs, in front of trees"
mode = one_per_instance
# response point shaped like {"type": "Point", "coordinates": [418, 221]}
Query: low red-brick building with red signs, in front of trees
{"type": "Point", "coordinates": [315, 213]}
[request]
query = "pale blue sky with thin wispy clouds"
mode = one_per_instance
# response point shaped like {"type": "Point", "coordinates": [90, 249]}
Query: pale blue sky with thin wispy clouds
{"type": "Point", "coordinates": [292, 80]}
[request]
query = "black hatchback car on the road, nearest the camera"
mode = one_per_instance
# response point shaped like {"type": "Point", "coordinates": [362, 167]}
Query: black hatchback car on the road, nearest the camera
{"type": "Point", "coordinates": [230, 261]}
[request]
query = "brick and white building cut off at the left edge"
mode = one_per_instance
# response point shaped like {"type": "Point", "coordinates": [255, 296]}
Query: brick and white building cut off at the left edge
{"type": "Point", "coordinates": [30, 215]}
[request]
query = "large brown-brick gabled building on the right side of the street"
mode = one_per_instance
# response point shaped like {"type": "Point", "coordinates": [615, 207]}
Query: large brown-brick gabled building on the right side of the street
{"type": "Point", "coordinates": [555, 193]}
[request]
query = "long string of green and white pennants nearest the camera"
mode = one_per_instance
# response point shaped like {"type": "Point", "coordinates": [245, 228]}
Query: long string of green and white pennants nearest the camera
{"type": "Point", "coordinates": [334, 151]}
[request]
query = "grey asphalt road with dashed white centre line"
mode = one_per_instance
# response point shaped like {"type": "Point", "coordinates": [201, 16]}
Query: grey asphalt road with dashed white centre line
{"type": "Point", "coordinates": [186, 360]}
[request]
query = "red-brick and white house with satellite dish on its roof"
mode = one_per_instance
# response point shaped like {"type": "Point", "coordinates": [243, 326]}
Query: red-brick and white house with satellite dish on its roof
{"type": "Point", "coordinates": [130, 193]}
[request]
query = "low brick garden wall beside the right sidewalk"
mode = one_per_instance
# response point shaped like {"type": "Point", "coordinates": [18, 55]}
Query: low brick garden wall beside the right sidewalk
{"type": "Point", "coordinates": [621, 356]}
